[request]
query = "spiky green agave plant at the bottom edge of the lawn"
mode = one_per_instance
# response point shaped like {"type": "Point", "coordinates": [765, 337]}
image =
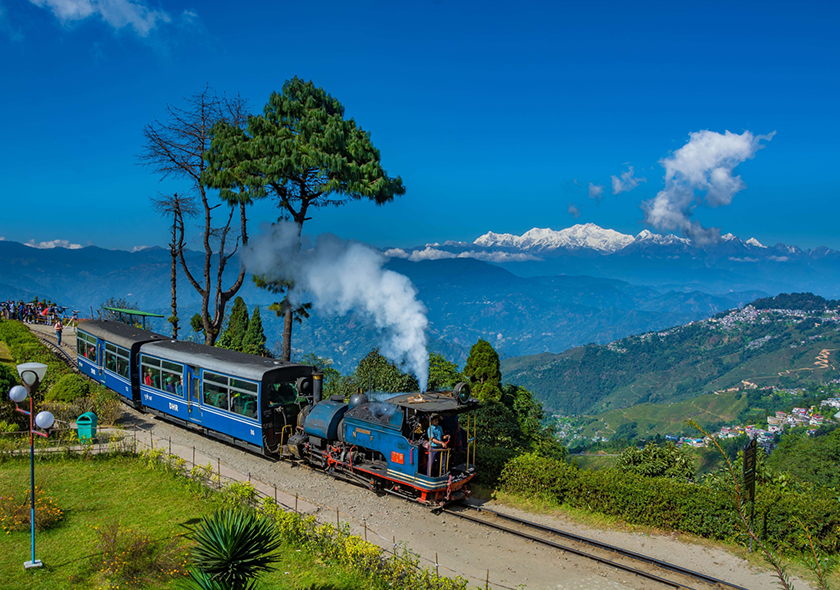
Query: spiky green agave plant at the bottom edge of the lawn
{"type": "Point", "coordinates": [233, 546]}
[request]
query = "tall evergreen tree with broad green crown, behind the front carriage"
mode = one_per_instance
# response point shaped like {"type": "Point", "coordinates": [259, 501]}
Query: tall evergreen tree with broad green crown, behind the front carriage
{"type": "Point", "coordinates": [305, 154]}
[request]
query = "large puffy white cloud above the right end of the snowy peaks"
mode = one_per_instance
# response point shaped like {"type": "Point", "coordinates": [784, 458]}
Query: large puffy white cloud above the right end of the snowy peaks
{"type": "Point", "coordinates": [704, 164]}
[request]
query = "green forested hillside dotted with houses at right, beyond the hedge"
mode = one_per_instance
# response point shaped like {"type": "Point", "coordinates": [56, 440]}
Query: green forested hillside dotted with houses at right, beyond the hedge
{"type": "Point", "coordinates": [790, 340]}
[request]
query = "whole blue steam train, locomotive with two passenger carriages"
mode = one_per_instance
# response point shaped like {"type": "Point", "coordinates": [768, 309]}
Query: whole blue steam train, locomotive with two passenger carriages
{"type": "Point", "coordinates": [274, 408]}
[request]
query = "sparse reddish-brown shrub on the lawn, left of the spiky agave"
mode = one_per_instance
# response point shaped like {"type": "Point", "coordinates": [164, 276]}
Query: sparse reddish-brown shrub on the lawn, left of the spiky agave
{"type": "Point", "coordinates": [136, 560]}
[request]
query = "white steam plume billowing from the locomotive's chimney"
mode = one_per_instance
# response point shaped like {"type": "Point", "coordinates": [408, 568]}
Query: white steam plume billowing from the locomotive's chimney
{"type": "Point", "coordinates": [341, 276]}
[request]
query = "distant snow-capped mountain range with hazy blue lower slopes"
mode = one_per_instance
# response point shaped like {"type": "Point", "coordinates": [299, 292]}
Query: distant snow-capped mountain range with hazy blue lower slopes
{"type": "Point", "coordinates": [662, 261]}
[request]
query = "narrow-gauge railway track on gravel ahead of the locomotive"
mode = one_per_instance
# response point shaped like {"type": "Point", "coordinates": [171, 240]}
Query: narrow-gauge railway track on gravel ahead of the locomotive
{"type": "Point", "coordinates": [661, 573]}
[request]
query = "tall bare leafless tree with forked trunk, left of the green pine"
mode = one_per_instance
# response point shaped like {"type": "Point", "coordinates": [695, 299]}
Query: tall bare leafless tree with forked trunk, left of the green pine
{"type": "Point", "coordinates": [175, 147]}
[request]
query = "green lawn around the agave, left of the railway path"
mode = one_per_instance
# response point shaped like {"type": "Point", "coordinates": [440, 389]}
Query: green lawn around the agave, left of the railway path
{"type": "Point", "coordinates": [96, 492]}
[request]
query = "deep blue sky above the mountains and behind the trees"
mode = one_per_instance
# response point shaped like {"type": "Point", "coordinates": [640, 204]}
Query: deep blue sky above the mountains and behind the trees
{"type": "Point", "coordinates": [497, 116]}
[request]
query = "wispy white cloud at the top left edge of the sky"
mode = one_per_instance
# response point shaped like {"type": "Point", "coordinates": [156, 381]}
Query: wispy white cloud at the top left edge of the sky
{"type": "Point", "coordinates": [116, 13]}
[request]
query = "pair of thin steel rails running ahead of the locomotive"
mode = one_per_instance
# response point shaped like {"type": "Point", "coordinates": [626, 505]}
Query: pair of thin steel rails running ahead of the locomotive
{"type": "Point", "coordinates": [604, 546]}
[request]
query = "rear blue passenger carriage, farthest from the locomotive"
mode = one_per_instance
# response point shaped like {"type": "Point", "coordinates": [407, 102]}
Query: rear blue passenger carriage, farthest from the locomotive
{"type": "Point", "coordinates": [108, 352]}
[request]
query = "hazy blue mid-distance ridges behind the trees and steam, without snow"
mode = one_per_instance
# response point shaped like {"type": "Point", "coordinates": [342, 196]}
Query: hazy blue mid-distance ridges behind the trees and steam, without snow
{"type": "Point", "coordinates": [467, 299]}
